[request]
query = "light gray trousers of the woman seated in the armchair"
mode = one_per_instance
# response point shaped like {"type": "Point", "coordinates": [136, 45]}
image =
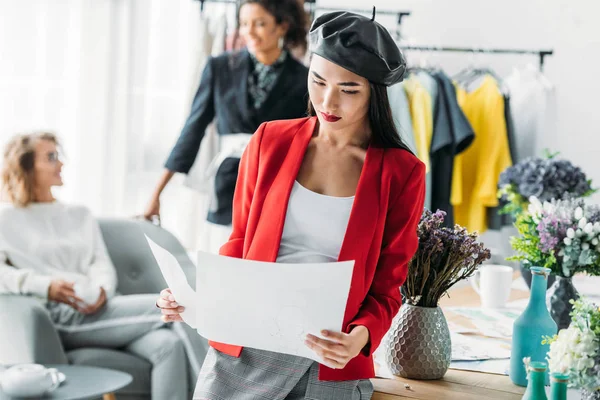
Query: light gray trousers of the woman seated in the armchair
{"type": "Point", "coordinates": [132, 323]}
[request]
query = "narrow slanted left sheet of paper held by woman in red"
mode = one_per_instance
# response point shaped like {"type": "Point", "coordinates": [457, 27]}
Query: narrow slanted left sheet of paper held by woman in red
{"type": "Point", "coordinates": [176, 281]}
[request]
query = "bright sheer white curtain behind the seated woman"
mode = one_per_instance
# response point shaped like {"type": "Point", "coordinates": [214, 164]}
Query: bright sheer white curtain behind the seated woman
{"type": "Point", "coordinates": [112, 78]}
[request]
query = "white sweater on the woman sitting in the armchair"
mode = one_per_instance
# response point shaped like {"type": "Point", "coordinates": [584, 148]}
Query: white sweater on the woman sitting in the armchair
{"type": "Point", "coordinates": [46, 241]}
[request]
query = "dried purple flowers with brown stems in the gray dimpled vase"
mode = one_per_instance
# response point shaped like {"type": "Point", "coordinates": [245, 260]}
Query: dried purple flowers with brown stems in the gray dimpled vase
{"type": "Point", "coordinates": [444, 257]}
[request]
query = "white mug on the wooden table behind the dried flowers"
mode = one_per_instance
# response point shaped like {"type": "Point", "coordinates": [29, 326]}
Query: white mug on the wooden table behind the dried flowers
{"type": "Point", "coordinates": [493, 285]}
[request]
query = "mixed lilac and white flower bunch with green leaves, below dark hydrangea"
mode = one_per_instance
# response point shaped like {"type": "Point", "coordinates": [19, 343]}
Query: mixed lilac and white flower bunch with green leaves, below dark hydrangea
{"type": "Point", "coordinates": [563, 235]}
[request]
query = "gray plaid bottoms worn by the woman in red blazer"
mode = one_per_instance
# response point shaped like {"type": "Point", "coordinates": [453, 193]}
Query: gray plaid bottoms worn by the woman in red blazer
{"type": "Point", "coordinates": [264, 375]}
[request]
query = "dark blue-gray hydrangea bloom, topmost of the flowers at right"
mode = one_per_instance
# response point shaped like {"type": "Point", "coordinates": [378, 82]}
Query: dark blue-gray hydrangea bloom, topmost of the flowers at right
{"type": "Point", "coordinates": [543, 178]}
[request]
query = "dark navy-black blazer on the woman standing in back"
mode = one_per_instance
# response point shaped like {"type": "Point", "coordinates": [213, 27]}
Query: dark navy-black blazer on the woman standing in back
{"type": "Point", "coordinates": [223, 93]}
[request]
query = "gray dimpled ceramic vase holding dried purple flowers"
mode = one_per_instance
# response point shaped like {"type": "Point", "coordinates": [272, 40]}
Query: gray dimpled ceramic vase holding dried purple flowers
{"type": "Point", "coordinates": [418, 343]}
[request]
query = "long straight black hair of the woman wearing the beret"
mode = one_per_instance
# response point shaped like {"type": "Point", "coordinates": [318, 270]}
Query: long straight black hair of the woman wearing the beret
{"type": "Point", "coordinates": [383, 128]}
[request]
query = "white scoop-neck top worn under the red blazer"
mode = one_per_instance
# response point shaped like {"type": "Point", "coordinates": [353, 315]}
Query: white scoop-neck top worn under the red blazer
{"type": "Point", "coordinates": [315, 226]}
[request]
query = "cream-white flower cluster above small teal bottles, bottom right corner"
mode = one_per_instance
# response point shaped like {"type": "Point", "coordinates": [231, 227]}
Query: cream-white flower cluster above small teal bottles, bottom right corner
{"type": "Point", "coordinates": [575, 351]}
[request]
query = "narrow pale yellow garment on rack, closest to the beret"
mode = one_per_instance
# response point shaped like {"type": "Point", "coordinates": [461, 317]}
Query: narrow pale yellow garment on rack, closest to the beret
{"type": "Point", "coordinates": [419, 101]}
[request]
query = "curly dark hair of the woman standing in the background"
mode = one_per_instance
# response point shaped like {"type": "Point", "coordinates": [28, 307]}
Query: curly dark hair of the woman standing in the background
{"type": "Point", "coordinates": [290, 12]}
